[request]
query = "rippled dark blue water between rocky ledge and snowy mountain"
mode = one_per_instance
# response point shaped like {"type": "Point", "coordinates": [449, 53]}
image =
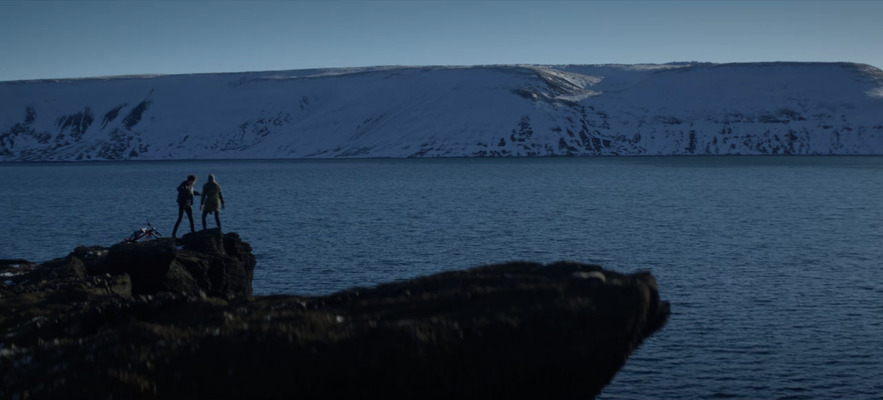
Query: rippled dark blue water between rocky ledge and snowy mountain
{"type": "Point", "coordinates": [771, 264]}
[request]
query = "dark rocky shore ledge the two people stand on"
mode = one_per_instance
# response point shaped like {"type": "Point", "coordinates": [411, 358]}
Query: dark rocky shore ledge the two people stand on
{"type": "Point", "coordinates": [101, 323]}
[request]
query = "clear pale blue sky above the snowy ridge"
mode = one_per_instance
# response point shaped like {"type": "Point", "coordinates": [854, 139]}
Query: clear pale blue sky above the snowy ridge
{"type": "Point", "coordinates": [40, 39]}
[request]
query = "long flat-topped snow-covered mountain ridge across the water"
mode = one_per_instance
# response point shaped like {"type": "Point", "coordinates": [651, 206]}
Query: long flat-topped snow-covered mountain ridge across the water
{"type": "Point", "coordinates": [510, 110]}
